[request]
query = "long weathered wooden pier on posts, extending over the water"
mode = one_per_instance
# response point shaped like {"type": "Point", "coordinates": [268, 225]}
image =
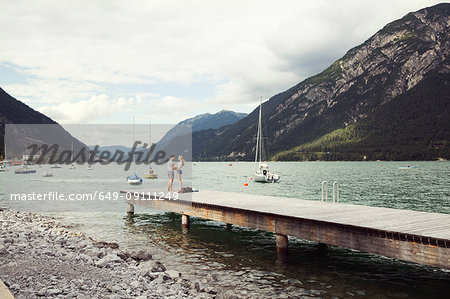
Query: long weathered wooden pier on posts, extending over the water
{"type": "Point", "coordinates": [412, 236]}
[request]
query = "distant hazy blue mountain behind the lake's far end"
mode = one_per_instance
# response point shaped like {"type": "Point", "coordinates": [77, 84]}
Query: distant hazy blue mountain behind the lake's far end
{"type": "Point", "coordinates": [202, 122]}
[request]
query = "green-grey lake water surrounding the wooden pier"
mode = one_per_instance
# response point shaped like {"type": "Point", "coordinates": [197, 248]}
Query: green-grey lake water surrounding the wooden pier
{"type": "Point", "coordinates": [244, 260]}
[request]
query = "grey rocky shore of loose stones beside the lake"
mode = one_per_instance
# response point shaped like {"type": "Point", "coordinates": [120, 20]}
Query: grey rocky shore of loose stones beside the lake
{"type": "Point", "coordinates": [42, 258]}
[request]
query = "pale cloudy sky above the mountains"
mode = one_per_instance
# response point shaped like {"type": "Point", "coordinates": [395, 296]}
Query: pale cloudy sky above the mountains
{"type": "Point", "coordinates": [163, 61]}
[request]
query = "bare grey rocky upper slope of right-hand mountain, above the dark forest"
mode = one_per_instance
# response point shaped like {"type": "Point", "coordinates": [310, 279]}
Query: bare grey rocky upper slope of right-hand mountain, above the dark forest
{"type": "Point", "coordinates": [367, 77]}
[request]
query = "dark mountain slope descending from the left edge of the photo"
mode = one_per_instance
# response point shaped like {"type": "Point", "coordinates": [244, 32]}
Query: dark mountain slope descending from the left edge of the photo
{"type": "Point", "coordinates": [32, 127]}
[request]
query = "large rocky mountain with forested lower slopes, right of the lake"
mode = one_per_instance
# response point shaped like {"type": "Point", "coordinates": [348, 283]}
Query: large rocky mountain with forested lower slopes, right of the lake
{"type": "Point", "coordinates": [384, 99]}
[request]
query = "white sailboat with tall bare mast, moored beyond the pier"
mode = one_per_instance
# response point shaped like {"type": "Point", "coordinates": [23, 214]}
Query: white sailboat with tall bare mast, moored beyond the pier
{"type": "Point", "coordinates": [262, 173]}
